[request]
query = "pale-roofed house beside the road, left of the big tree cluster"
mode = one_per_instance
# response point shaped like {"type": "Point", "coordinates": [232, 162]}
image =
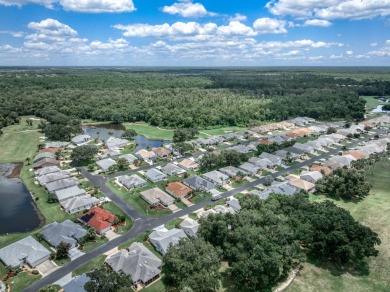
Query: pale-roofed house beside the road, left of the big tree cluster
{"type": "Point", "coordinates": [162, 240]}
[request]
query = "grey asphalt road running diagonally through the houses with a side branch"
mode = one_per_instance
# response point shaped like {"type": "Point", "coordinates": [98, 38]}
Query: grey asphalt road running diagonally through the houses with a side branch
{"type": "Point", "coordinates": [142, 224]}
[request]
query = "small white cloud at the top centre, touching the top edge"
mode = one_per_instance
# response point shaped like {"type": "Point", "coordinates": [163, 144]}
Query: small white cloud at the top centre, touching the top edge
{"type": "Point", "coordinates": [186, 8]}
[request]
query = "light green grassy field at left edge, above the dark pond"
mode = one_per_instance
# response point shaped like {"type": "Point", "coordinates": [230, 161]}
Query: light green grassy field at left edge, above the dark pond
{"type": "Point", "coordinates": [19, 141]}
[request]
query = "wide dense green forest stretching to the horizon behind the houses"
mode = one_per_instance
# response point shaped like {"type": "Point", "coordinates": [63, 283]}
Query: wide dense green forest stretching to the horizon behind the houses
{"type": "Point", "coordinates": [183, 97]}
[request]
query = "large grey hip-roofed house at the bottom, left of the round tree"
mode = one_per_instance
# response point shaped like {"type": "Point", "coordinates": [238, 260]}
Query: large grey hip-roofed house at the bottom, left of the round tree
{"type": "Point", "coordinates": [138, 262]}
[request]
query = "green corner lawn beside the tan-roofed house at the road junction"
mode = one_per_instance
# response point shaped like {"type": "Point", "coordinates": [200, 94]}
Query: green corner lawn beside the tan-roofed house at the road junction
{"type": "Point", "coordinates": [135, 200]}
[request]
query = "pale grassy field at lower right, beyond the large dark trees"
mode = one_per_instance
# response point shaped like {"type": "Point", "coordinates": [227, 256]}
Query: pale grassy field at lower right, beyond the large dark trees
{"type": "Point", "coordinates": [373, 211]}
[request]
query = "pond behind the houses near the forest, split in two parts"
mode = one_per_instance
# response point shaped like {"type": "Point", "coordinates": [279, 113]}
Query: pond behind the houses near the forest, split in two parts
{"type": "Point", "coordinates": [105, 131]}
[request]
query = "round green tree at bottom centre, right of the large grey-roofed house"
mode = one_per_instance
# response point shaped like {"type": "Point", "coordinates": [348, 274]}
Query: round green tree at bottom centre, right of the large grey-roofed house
{"type": "Point", "coordinates": [192, 263]}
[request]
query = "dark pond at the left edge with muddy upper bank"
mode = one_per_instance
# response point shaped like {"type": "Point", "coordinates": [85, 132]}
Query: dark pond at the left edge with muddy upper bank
{"type": "Point", "coordinates": [17, 209]}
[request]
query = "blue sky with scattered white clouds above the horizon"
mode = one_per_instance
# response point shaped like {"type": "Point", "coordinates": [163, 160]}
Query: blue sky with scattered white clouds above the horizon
{"type": "Point", "coordinates": [195, 32]}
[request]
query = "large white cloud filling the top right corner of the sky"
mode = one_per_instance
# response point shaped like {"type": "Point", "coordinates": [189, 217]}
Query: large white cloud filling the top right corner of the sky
{"type": "Point", "coordinates": [330, 9]}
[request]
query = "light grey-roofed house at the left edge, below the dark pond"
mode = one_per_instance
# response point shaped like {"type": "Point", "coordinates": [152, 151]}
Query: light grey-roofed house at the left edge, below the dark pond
{"type": "Point", "coordinates": [25, 251]}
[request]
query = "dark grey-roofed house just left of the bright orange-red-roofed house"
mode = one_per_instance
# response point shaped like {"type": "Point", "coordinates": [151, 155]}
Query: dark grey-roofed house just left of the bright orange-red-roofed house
{"type": "Point", "coordinates": [67, 231]}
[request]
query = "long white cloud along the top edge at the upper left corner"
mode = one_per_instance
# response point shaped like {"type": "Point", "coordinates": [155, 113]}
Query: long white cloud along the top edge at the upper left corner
{"type": "Point", "coordinates": [89, 6]}
